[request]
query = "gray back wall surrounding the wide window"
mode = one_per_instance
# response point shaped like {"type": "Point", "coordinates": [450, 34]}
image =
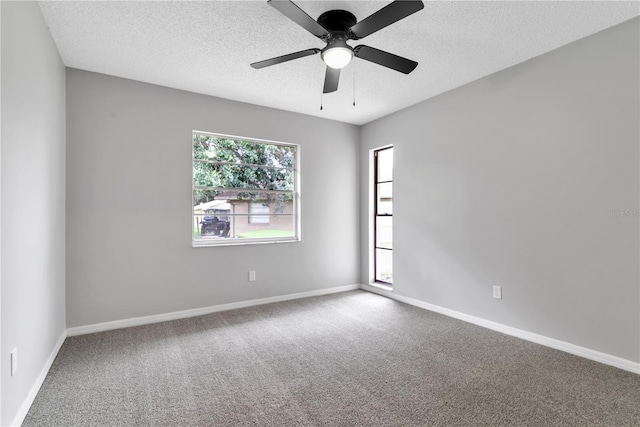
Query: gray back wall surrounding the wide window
{"type": "Point", "coordinates": [129, 203]}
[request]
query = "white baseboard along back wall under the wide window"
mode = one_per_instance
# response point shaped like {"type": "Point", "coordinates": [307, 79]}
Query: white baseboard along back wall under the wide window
{"type": "Point", "coordinates": [157, 318]}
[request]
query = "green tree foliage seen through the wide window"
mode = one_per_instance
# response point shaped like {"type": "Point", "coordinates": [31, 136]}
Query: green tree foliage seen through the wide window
{"type": "Point", "coordinates": [230, 163]}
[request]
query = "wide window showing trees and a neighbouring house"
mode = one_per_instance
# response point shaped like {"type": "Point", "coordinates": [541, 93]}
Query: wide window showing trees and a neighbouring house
{"type": "Point", "coordinates": [244, 191]}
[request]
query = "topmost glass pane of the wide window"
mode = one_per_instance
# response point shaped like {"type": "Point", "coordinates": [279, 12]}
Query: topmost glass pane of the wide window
{"type": "Point", "coordinates": [209, 147]}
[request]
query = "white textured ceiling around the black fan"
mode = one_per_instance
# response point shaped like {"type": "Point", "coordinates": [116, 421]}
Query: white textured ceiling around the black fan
{"type": "Point", "coordinates": [206, 47]}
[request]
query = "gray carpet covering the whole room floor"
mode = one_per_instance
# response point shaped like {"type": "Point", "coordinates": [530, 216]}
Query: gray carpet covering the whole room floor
{"type": "Point", "coordinates": [350, 359]}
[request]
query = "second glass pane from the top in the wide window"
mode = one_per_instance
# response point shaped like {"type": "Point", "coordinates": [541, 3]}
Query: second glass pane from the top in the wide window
{"type": "Point", "coordinates": [242, 176]}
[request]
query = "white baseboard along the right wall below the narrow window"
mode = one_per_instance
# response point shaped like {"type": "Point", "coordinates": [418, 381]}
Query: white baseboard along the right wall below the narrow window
{"type": "Point", "coordinates": [587, 353]}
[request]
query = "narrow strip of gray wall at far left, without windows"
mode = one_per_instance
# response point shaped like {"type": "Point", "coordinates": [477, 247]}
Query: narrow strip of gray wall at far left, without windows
{"type": "Point", "coordinates": [33, 199]}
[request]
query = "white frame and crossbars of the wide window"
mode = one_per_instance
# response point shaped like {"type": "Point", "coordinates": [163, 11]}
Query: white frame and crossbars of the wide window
{"type": "Point", "coordinates": [198, 243]}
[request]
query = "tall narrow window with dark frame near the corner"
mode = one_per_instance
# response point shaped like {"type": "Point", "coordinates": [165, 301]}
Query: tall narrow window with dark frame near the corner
{"type": "Point", "coordinates": [383, 215]}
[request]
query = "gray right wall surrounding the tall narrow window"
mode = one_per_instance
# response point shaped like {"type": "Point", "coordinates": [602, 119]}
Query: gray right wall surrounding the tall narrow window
{"type": "Point", "coordinates": [528, 179]}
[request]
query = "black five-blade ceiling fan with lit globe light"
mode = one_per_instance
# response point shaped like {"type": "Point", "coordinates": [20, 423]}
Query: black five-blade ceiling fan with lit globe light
{"type": "Point", "coordinates": [335, 28]}
